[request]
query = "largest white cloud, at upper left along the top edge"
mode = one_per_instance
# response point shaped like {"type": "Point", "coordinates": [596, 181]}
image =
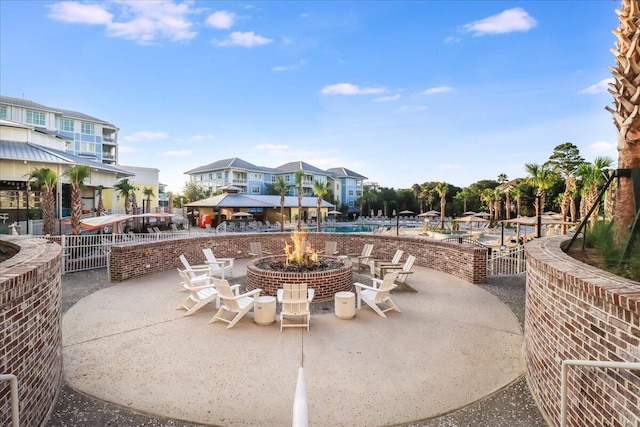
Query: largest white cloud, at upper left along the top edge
{"type": "Point", "coordinates": [141, 21]}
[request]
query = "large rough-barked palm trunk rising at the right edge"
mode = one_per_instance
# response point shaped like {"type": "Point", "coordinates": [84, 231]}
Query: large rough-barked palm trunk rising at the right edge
{"type": "Point", "coordinates": [626, 112]}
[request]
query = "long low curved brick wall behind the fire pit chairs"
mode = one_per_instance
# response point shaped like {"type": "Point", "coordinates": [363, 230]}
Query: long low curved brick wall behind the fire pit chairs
{"type": "Point", "coordinates": [465, 262]}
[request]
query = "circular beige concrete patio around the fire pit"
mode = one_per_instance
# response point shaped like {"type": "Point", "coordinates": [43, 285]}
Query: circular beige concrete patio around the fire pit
{"type": "Point", "coordinates": [453, 344]}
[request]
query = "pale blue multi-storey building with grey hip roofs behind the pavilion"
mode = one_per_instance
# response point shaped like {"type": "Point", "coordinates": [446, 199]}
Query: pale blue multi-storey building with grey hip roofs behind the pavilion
{"type": "Point", "coordinates": [250, 179]}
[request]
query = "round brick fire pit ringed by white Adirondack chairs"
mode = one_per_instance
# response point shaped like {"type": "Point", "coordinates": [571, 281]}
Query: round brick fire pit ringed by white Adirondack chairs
{"type": "Point", "coordinates": [326, 283]}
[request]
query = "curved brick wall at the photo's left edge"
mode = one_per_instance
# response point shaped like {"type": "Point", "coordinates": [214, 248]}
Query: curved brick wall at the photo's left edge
{"type": "Point", "coordinates": [30, 337]}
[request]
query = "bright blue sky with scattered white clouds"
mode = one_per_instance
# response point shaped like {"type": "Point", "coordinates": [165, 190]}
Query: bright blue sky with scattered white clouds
{"type": "Point", "coordinates": [400, 92]}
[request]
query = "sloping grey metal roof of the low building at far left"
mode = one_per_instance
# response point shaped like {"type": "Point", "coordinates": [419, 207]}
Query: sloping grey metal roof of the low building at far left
{"type": "Point", "coordinates": [28, 151]}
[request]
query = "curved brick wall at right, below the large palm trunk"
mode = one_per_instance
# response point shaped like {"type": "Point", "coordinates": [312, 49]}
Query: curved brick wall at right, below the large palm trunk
{"type": "Point", "coordinates": [575, 311]}
